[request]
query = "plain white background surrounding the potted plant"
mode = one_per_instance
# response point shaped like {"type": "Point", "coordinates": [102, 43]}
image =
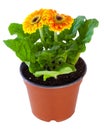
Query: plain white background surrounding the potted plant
{"type": "Point", "coordinates": [15, 111]}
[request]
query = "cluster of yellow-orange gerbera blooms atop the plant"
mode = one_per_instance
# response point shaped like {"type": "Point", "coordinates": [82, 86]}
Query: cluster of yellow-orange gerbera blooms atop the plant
{"type": "Point", "coordinates": [56, 22]}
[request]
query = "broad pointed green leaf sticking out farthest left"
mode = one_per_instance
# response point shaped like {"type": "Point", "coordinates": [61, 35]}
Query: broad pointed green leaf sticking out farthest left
{"type": "Point", "coordinates": [22, 49]}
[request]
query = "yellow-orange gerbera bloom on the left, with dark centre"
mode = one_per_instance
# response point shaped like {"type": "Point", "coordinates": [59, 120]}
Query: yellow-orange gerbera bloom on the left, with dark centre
{"type": "Point", "coordinates": [33, 21]}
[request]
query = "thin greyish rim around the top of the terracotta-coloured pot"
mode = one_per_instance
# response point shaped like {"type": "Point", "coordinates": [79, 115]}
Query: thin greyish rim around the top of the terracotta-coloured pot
{"type": "Point", "coordinates": [53, 87]}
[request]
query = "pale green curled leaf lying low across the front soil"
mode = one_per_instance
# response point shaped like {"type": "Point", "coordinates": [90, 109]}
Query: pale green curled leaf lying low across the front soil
{"type": "Point", "coordinates": [64, 69]}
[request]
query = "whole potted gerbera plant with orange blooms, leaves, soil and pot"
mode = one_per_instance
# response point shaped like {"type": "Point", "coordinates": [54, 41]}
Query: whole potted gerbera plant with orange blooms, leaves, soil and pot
{"type": "Point", "coordinates": [49, 45]}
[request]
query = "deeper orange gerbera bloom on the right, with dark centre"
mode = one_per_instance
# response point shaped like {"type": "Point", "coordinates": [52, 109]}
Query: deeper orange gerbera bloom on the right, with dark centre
{"type": "Point", "coordinates": [60, 22]}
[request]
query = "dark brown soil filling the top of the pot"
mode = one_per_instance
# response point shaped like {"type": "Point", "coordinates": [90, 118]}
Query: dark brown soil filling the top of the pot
{"type": "Point", "coordinates": [61, 79]}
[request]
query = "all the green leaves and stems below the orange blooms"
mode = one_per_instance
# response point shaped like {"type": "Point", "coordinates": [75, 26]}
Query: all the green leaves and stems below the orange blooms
{"type": "Point", "coordinates": [51, 54]}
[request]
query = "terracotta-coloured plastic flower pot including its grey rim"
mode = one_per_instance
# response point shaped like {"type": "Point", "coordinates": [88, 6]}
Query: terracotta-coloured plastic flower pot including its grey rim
{"type": "Point", "coordinates": [53, 103]}
